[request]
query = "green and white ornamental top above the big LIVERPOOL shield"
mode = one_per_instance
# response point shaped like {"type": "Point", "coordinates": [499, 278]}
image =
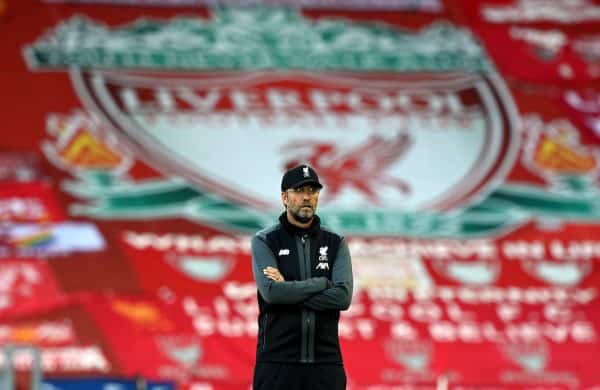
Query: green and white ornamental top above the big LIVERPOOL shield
{"type": "Point", "coordinates": [256, 38]}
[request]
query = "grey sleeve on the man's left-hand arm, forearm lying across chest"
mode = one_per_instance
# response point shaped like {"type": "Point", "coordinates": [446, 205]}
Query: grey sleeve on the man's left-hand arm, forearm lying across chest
{"type": "Point", "coordinates": [288, 292]}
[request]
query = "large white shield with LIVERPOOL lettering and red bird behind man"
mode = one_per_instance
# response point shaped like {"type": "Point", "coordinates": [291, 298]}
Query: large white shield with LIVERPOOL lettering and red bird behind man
{"type": "Point", "coordinates": [385, 146]}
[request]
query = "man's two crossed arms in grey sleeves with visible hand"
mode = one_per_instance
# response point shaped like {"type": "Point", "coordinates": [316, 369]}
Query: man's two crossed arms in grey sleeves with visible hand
{"type": "Point", "coordinates": [317, 293]}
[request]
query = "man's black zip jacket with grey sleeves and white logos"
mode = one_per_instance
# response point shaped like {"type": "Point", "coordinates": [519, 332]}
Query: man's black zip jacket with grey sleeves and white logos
{"type": "Point", "coordinates": [298, 319]}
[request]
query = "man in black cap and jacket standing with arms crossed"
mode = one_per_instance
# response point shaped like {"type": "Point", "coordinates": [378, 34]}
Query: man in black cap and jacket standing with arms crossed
{"type": "Point", "coordinates": [303, 274]}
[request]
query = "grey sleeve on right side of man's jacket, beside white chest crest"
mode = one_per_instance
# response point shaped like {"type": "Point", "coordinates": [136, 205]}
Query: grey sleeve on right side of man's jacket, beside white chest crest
{"type": "Point", "coordinates": [339, 295]}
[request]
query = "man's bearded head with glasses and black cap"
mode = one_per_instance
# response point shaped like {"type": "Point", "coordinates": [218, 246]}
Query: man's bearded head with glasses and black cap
{"type": "Point", "coordinates": [300, 188]}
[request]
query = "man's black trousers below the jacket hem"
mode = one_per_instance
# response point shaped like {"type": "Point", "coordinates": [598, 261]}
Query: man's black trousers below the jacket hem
{"type": "Point", "coordinates": [298, 376]}
